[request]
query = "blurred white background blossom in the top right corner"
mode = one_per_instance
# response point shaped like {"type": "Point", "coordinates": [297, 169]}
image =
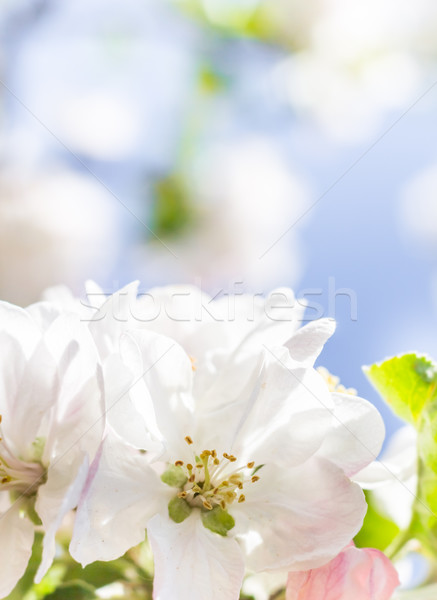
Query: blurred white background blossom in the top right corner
{"type": "Point", "coordinates": [358, 61]}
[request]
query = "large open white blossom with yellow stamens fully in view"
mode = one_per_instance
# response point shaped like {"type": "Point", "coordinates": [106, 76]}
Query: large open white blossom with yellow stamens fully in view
{"type": "Point", "coordinates": [243, 465]}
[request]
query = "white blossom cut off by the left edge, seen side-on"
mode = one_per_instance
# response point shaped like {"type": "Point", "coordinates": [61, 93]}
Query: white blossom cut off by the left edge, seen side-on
{"type": "Point", "coordinates": [51, 407]}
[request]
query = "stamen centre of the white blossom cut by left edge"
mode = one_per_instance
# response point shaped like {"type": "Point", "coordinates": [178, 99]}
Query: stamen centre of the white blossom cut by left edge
{"type": "Point", "coordinates": [17, 475]}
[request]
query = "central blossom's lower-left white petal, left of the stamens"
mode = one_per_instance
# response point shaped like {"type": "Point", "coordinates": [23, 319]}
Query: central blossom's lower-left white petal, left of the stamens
{"type": "Point", "coordinates": [120, 496]}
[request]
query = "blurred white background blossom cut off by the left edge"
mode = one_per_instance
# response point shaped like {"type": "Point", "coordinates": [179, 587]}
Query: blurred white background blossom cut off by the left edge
{"type": "Point", "coordinates": [53, 227]}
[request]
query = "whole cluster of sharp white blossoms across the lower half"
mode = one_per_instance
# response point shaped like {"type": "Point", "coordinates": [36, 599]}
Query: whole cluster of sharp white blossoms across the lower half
{"type": "Point", "coordinates": [201, 423]}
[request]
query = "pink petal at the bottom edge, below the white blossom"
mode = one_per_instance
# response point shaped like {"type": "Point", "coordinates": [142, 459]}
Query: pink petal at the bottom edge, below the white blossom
{"type": "Point", "coordinates": [361, 574]}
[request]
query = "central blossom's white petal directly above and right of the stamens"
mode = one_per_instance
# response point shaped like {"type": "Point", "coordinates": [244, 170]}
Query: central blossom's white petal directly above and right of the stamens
{"type": "Point", "coordinates": [281, 405]}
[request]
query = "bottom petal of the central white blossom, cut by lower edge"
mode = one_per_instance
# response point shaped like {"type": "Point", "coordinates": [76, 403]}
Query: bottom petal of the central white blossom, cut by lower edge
{"type": "Point", "coordinates": [193, 563]}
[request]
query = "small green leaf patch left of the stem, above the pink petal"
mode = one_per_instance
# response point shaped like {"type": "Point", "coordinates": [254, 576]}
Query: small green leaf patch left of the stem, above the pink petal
{"type": "Point", "coordinates": [377, 531]}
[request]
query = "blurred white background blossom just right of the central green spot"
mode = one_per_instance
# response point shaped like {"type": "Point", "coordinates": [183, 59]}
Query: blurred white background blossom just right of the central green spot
{"type": "Point", "coordinates": [242, 194]}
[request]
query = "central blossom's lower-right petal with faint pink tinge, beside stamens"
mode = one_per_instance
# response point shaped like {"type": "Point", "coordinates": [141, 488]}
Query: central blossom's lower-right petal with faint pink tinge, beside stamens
{"type": "Point", "coordinates": [304, 516]}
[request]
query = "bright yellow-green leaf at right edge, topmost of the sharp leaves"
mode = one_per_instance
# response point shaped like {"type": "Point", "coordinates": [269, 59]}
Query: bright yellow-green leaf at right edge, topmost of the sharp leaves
{"type": "Point", "coordinates": [407, 383]}
